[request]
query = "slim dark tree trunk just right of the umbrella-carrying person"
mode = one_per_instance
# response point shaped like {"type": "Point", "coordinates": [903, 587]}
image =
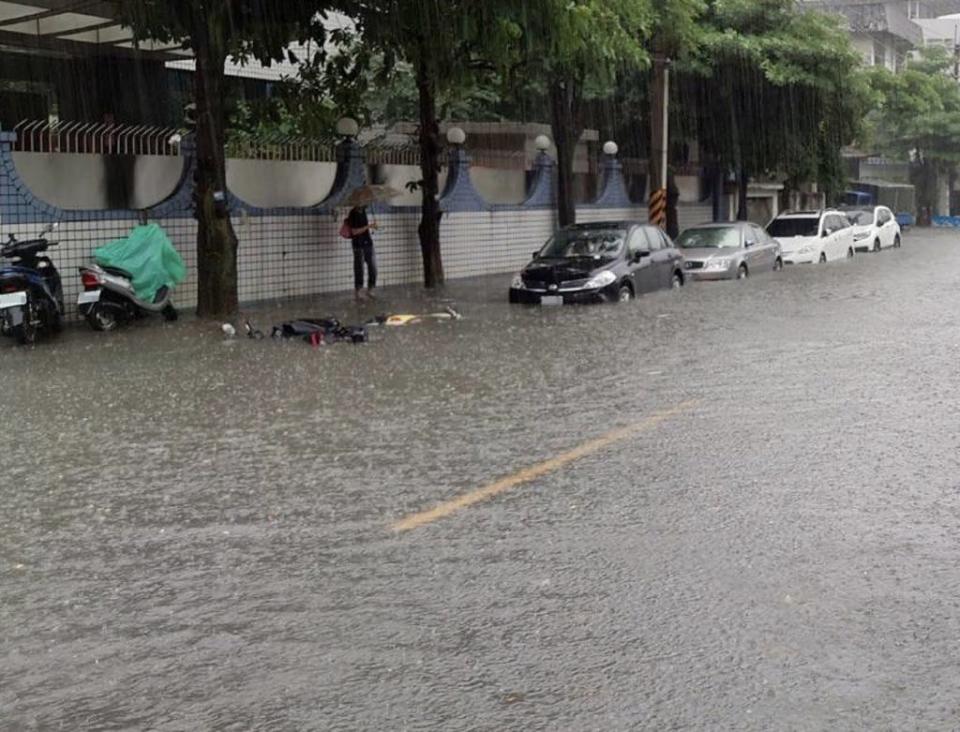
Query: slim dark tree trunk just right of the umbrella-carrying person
{"type": "Point", "coordinates": [429, 229]}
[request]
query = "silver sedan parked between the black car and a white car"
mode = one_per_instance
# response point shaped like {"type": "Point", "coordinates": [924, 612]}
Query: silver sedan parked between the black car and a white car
{"type": "Point", "coordinates": [728, 251]}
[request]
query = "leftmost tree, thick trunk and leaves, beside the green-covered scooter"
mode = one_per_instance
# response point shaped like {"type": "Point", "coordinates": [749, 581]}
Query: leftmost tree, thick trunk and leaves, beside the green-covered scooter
{"type": "Point", "coordinates": [215, 30]}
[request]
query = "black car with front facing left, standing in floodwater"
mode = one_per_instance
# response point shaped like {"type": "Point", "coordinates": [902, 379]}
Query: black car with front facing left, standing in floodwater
{"type": "Point", "coordinates": [611, 261]}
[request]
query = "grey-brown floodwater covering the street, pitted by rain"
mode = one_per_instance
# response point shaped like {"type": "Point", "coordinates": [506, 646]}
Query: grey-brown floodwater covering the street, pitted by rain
{"type": "Point", "coordinates": [198, 533]}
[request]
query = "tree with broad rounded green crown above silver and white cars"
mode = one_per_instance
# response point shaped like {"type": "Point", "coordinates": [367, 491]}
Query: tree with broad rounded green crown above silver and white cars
{"type": "Point", "coordinates": [774, 89]}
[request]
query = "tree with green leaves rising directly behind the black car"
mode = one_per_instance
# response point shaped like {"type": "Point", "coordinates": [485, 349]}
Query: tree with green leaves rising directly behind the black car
{"type": "Point", "coordinates": [578, 48]}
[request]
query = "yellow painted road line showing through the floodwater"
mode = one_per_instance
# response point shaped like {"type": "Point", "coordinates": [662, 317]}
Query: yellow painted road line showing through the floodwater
{"type": "Point", "coordinates": [416, 520]}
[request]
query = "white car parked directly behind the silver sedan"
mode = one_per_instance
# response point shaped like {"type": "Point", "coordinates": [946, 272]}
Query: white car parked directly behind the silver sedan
{"type": "Point", "coordinates": [813, 236]}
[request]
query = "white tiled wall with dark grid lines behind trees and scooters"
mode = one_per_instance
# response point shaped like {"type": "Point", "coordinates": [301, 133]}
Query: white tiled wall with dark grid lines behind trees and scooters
{"type": "Point", "coordinates": [303, 254]}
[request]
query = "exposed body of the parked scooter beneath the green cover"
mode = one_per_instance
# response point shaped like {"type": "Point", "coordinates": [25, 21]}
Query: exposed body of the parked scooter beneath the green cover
{"type": "Point", "coordinates": [108, 298]}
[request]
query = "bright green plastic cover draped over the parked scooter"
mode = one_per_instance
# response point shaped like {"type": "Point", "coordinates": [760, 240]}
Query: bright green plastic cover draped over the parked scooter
{"type": "Point", "coordinates": [148, 255]}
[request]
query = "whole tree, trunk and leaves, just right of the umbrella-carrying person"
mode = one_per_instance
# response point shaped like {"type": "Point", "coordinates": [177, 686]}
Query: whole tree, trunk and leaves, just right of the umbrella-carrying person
{"type": "Point", "coordinates": [445, 45]}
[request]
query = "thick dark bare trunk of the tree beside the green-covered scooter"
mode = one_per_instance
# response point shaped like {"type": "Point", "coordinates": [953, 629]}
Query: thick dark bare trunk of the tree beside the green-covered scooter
{"type": "Point", "coordinates": [216, 239]}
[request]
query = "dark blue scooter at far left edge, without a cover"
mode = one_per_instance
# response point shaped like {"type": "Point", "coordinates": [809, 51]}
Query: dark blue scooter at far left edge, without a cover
{"type": "Point", "coordinates": [31, 293]}
